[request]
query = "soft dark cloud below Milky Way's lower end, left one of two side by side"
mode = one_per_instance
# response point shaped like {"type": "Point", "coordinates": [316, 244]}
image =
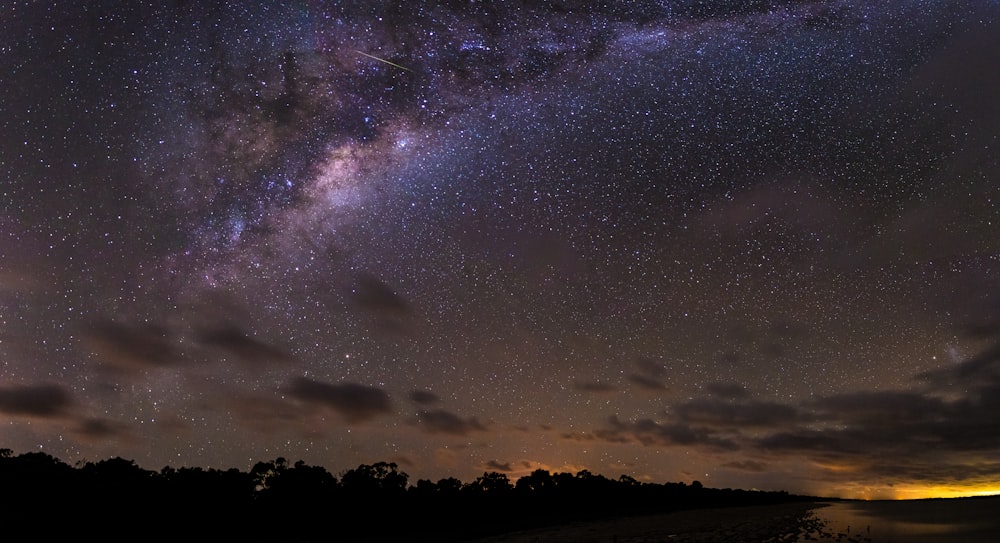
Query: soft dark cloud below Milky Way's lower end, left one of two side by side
{"type": "Point", "coordinates": [132, 347]}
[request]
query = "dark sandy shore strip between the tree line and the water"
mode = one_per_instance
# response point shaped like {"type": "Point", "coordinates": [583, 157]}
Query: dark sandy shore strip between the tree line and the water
{"type": "Point", "coordinates": [784, 523]}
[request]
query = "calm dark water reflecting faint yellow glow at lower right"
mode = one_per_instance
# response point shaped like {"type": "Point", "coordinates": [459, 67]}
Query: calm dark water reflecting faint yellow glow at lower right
{"type": "Point", "coordinates": [969, 520]}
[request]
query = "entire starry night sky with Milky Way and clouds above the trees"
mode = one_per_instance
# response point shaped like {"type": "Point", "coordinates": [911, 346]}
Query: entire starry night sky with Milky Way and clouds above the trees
{"type": "Point", "coordinates": [750, 243]}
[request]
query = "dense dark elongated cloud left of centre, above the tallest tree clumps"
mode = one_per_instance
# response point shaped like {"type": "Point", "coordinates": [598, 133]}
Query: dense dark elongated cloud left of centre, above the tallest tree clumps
{"type": "Point", "coordinates": [354, 402]}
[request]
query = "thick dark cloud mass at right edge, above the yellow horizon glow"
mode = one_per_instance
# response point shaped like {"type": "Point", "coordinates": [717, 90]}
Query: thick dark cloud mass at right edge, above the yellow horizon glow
{"type": "Point", "coordinates": [935, 435]}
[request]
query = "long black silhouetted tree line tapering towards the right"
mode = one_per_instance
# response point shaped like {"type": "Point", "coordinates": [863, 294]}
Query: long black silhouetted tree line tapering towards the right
{"type": "Point", "coordinates": [277, 501]}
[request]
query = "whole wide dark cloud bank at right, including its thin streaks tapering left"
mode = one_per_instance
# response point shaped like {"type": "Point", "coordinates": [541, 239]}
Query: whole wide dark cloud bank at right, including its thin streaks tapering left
{"type": "Point", "coordinates": [935, 434]}
